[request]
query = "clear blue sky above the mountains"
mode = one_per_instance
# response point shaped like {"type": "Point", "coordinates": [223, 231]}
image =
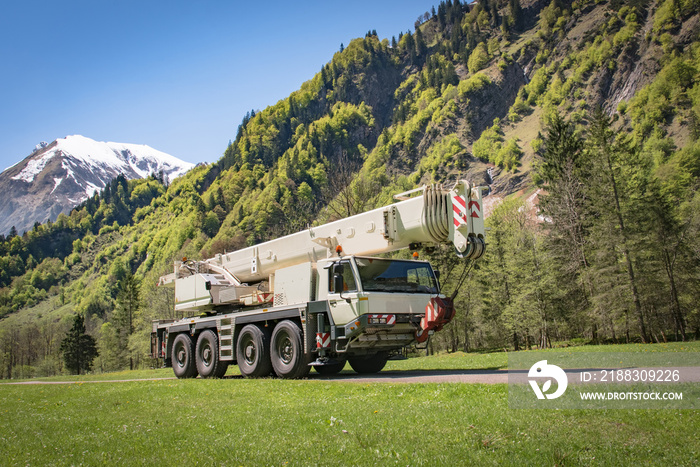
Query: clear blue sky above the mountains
{"type": "Point", "coordinates": [176, 75]}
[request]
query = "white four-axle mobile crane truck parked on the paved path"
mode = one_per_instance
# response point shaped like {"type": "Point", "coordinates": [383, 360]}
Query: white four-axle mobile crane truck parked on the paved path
{"type": "Point", "coordinates": [318, 297]}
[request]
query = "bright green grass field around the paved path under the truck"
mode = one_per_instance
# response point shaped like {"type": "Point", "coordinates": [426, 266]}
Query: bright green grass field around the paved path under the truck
{"type": "Point", "coordinates": [275, 422]}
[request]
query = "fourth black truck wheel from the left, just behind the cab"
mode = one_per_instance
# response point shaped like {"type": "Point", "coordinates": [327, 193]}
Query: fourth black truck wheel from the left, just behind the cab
{"type": "Point", "coordinates": [287, 351]}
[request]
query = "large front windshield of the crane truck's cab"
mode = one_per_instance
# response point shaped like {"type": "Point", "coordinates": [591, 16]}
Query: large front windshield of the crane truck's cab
{"type": "Point", "coordinates": [383, 275]}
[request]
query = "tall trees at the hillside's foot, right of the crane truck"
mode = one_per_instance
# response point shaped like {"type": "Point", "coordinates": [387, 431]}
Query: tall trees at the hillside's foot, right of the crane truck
{"type": "Point", "coordinates": [610, 255]}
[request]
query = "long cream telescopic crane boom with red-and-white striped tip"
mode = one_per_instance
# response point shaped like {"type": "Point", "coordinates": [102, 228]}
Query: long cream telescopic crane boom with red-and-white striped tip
{"type": "Point", "coordinates": [436, 216]}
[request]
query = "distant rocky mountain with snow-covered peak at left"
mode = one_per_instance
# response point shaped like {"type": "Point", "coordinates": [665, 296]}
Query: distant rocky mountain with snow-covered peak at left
{"type": "Point", "coordinates": [58, 176]}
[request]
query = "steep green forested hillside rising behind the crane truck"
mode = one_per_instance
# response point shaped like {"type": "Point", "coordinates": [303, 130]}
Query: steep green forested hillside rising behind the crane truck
{"type": "Point", "coordinates": [583, 118]}
